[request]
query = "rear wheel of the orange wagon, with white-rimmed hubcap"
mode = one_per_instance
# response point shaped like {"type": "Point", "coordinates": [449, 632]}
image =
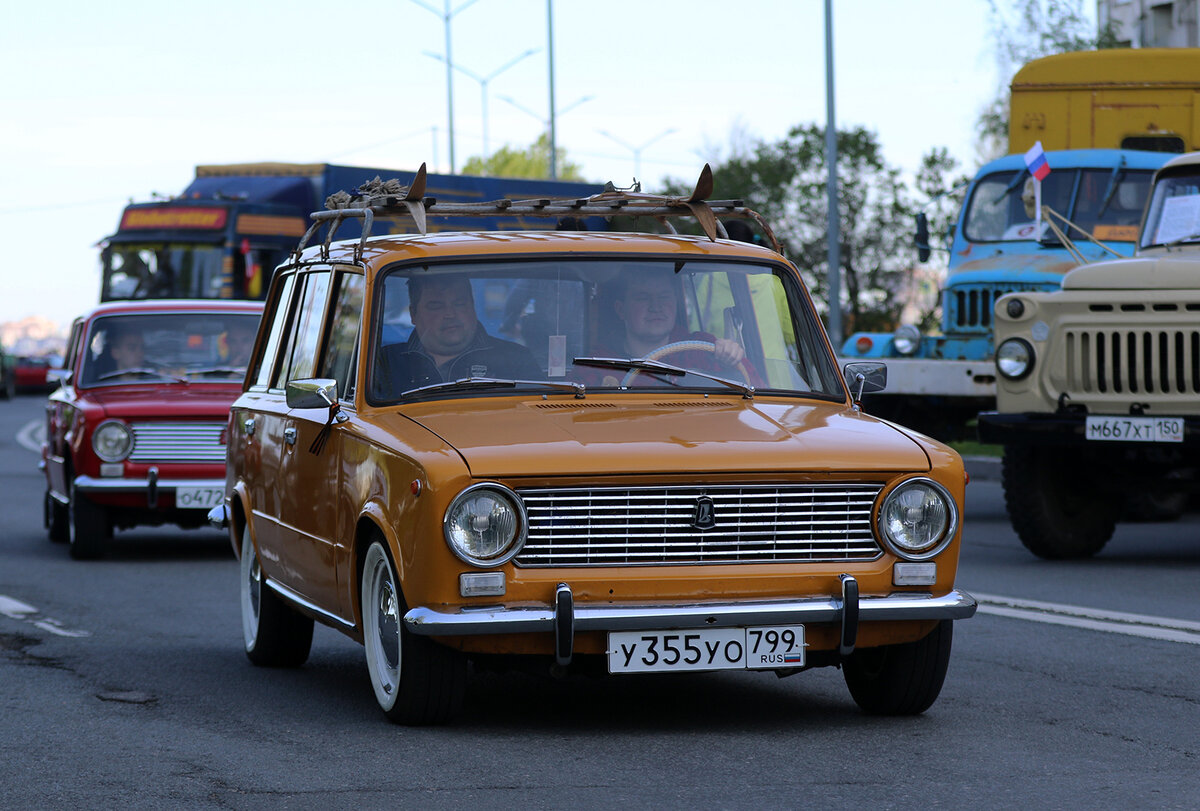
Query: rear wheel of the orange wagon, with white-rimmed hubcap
{"type": "Point", "coordinates": [275, 635]}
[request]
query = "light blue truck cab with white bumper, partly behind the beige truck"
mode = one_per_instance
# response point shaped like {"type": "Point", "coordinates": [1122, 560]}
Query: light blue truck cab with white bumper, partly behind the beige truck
{"type": "Point", "coordinates": [938, 383]}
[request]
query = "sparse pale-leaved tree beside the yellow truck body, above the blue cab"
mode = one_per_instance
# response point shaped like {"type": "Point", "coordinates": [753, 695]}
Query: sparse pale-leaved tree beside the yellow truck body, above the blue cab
{"type": "Point", "coordinates": [1025, 31]}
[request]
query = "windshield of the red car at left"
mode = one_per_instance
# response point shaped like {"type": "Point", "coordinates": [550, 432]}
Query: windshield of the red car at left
{"type": "Point", "coordinates": [179, 347]}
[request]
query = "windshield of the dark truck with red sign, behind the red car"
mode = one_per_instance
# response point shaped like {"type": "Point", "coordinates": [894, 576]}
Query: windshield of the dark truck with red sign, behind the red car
{"type": "Point", "coordinates": [161, 272]}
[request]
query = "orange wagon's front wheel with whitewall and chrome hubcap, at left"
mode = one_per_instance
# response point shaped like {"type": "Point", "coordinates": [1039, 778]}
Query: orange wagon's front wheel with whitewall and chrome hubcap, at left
{"type": "Point", "coordinates": [416, 681]}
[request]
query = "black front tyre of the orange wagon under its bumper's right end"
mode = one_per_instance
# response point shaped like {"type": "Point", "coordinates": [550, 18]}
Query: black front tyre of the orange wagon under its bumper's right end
{"type": "Point", "coordinates": [903, 680]}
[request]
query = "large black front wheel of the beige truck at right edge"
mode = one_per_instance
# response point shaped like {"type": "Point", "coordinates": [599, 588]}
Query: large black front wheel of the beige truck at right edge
{"type": "Point", "coordinates": [1054, 504]}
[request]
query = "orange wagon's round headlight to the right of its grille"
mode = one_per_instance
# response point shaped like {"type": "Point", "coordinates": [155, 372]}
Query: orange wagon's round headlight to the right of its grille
{"type": "Point", "coordinates": [919, 519]}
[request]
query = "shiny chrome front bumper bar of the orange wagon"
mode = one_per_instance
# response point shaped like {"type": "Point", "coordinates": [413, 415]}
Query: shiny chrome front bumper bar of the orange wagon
{"type": "Point", "coordinates": [521, 620]}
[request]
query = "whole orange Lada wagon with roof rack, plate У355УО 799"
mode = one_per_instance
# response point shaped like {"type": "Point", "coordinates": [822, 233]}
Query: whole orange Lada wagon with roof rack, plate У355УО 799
{"type": "Point", "coordinates": [583, 449]}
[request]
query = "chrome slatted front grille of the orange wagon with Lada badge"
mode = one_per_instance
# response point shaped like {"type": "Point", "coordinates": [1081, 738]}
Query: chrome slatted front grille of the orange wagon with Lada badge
{"type": "Point", "coordinates": [667, 526]}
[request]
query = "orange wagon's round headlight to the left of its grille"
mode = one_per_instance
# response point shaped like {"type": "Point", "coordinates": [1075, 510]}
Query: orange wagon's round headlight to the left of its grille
{"type": "Point", "coordinates": [485, 525]}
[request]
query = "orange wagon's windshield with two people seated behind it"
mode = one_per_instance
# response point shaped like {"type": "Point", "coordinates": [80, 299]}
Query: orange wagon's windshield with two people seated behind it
{"type": "Point", "coordinates": [706, 326]}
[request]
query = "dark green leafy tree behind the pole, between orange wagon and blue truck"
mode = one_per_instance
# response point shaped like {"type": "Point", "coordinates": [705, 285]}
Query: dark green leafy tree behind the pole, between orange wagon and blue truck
{"type": "Point", "coordinates": [785, 182]}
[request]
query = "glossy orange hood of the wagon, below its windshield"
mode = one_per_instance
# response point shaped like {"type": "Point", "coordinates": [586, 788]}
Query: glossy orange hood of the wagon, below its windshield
{"type": "Point", "coordinates": [590, 437]}
